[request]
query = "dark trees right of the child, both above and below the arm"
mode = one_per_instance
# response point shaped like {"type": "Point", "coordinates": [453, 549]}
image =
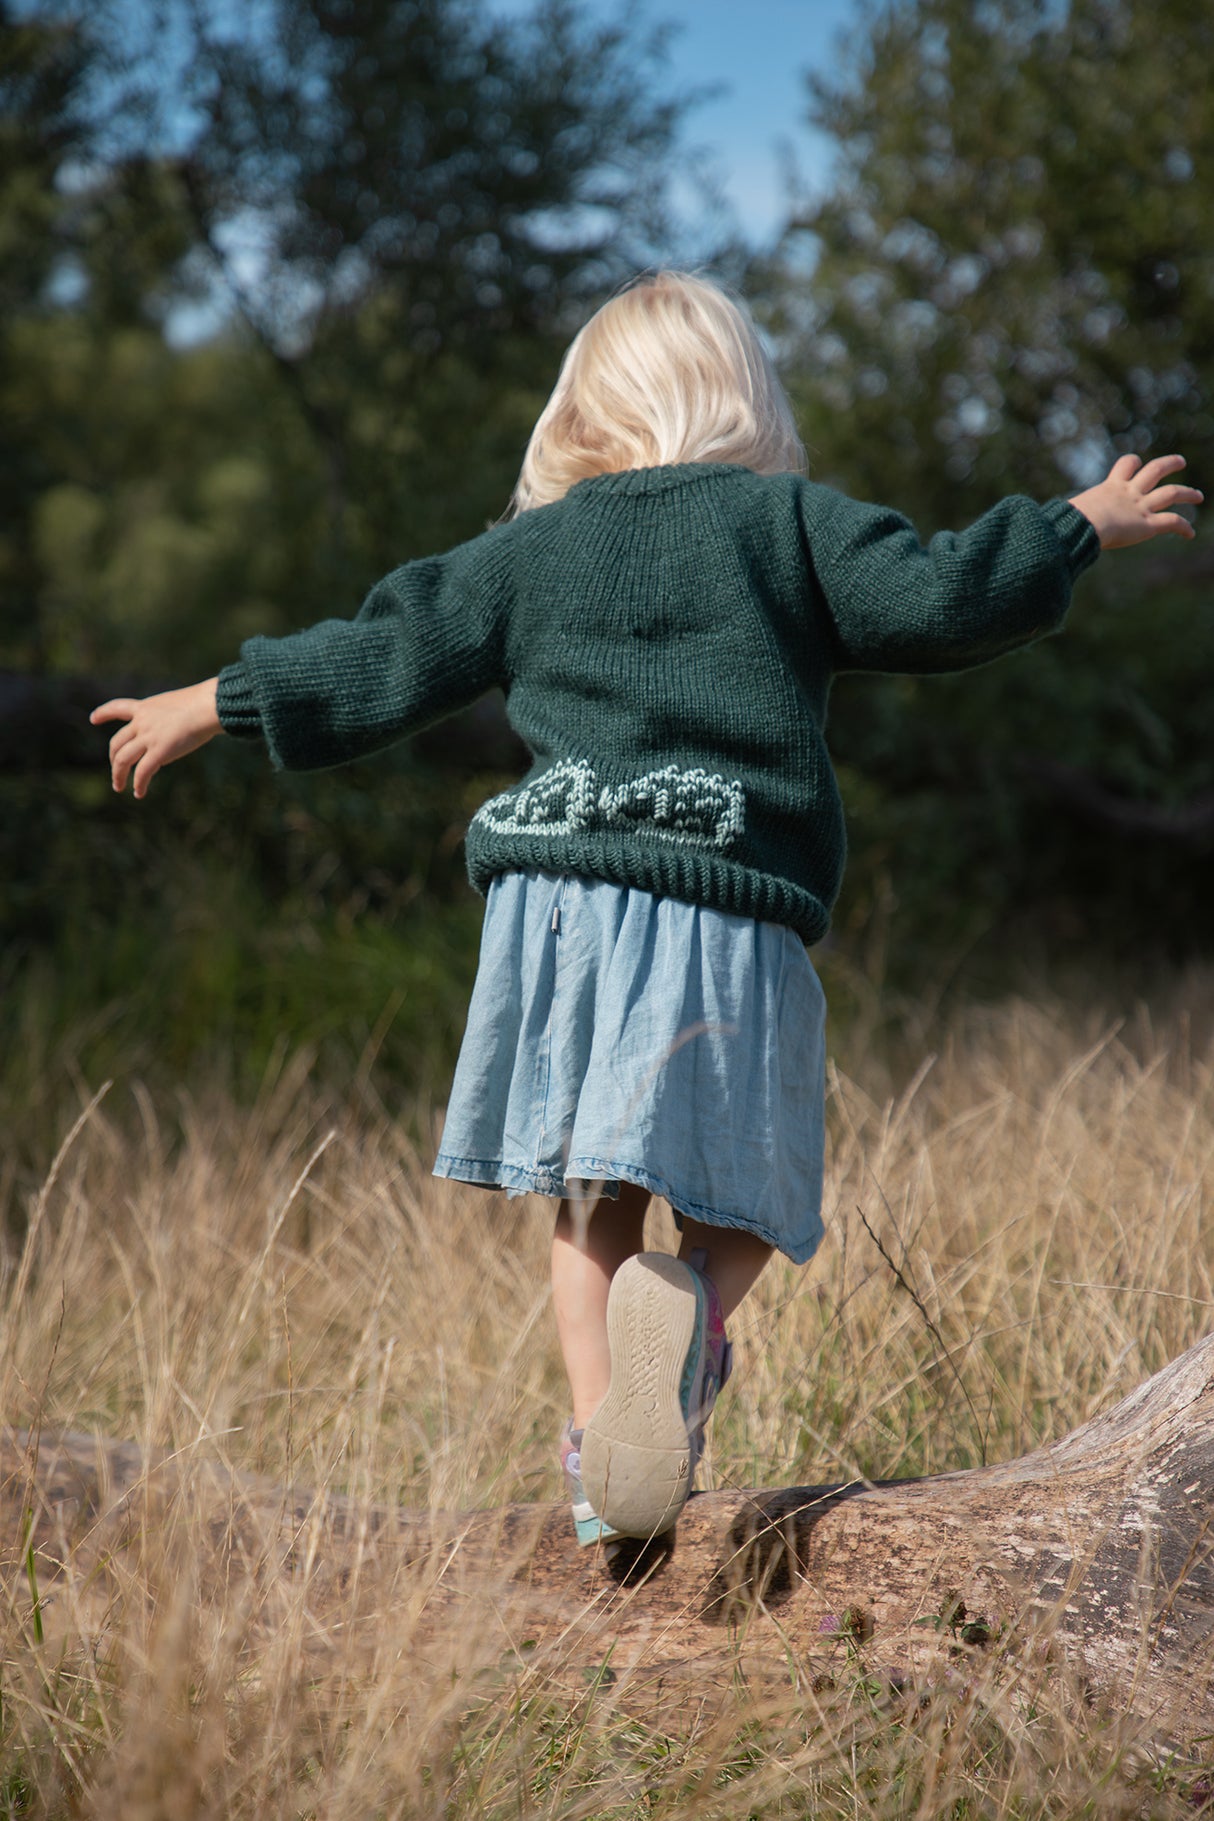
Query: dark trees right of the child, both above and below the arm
{"type": "Point", "coordinates": [1009, 283]}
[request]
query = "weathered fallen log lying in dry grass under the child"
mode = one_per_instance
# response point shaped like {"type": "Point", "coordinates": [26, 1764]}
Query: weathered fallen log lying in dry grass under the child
{"type": "Point", "coordinates": [1100, 1541]}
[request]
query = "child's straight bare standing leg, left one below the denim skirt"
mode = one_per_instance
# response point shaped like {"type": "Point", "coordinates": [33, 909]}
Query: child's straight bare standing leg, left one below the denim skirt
{"type": "Point", "coordinates": [580, 1290]}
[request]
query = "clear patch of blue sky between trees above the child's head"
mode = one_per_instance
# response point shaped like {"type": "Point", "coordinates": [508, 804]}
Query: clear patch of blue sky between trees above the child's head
{"type": "Point", "coordinates": [758, 52]}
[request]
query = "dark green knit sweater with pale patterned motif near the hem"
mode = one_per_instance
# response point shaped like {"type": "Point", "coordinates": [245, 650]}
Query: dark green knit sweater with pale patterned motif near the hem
{"type": "Point", "coordinates": [667, 642]}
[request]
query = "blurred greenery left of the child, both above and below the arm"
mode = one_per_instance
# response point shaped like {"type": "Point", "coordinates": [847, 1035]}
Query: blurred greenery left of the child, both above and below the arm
{"type": "Point", "coordinates": [288, 289]}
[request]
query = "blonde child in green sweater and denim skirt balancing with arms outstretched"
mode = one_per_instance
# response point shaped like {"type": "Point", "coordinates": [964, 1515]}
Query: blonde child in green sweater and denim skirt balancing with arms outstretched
{"type": "Point", "coordinates": [665, 609]}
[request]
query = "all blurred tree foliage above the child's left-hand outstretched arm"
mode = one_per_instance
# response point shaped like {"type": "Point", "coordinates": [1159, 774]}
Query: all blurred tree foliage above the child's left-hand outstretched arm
{"type": "Point", "coordinates": [381, 214]}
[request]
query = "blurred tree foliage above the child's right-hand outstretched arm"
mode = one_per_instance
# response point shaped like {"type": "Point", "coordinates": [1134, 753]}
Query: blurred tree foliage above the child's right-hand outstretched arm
{"type": "Point", "coordinates": [1015, 269]}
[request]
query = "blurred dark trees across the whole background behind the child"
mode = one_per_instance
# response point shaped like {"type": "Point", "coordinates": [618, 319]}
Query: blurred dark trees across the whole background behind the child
{"type": "Point", "coordinates": [283, 292]}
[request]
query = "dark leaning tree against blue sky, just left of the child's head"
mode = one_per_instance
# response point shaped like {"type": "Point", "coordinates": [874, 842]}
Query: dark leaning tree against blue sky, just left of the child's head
{"type": "Point", "coordinates": [409, 203]}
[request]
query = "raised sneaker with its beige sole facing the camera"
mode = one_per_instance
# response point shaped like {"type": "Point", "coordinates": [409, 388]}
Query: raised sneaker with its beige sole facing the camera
{"type": "Point", "coordinates": [669, 1361]}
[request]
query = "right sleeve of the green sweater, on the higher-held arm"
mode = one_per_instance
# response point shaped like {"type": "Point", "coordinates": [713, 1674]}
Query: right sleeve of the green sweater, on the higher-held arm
{"type": "Point", "coordinates": [962, 600]}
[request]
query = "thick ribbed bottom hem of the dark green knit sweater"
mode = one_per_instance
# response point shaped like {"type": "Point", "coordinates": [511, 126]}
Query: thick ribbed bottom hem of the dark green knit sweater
{"type": "Point", "coordinates": [662, 868]}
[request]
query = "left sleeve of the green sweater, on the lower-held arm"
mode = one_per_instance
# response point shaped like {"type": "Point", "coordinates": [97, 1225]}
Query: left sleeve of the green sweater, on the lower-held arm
{"type": "Point", "coordinates": [429, 640]}
